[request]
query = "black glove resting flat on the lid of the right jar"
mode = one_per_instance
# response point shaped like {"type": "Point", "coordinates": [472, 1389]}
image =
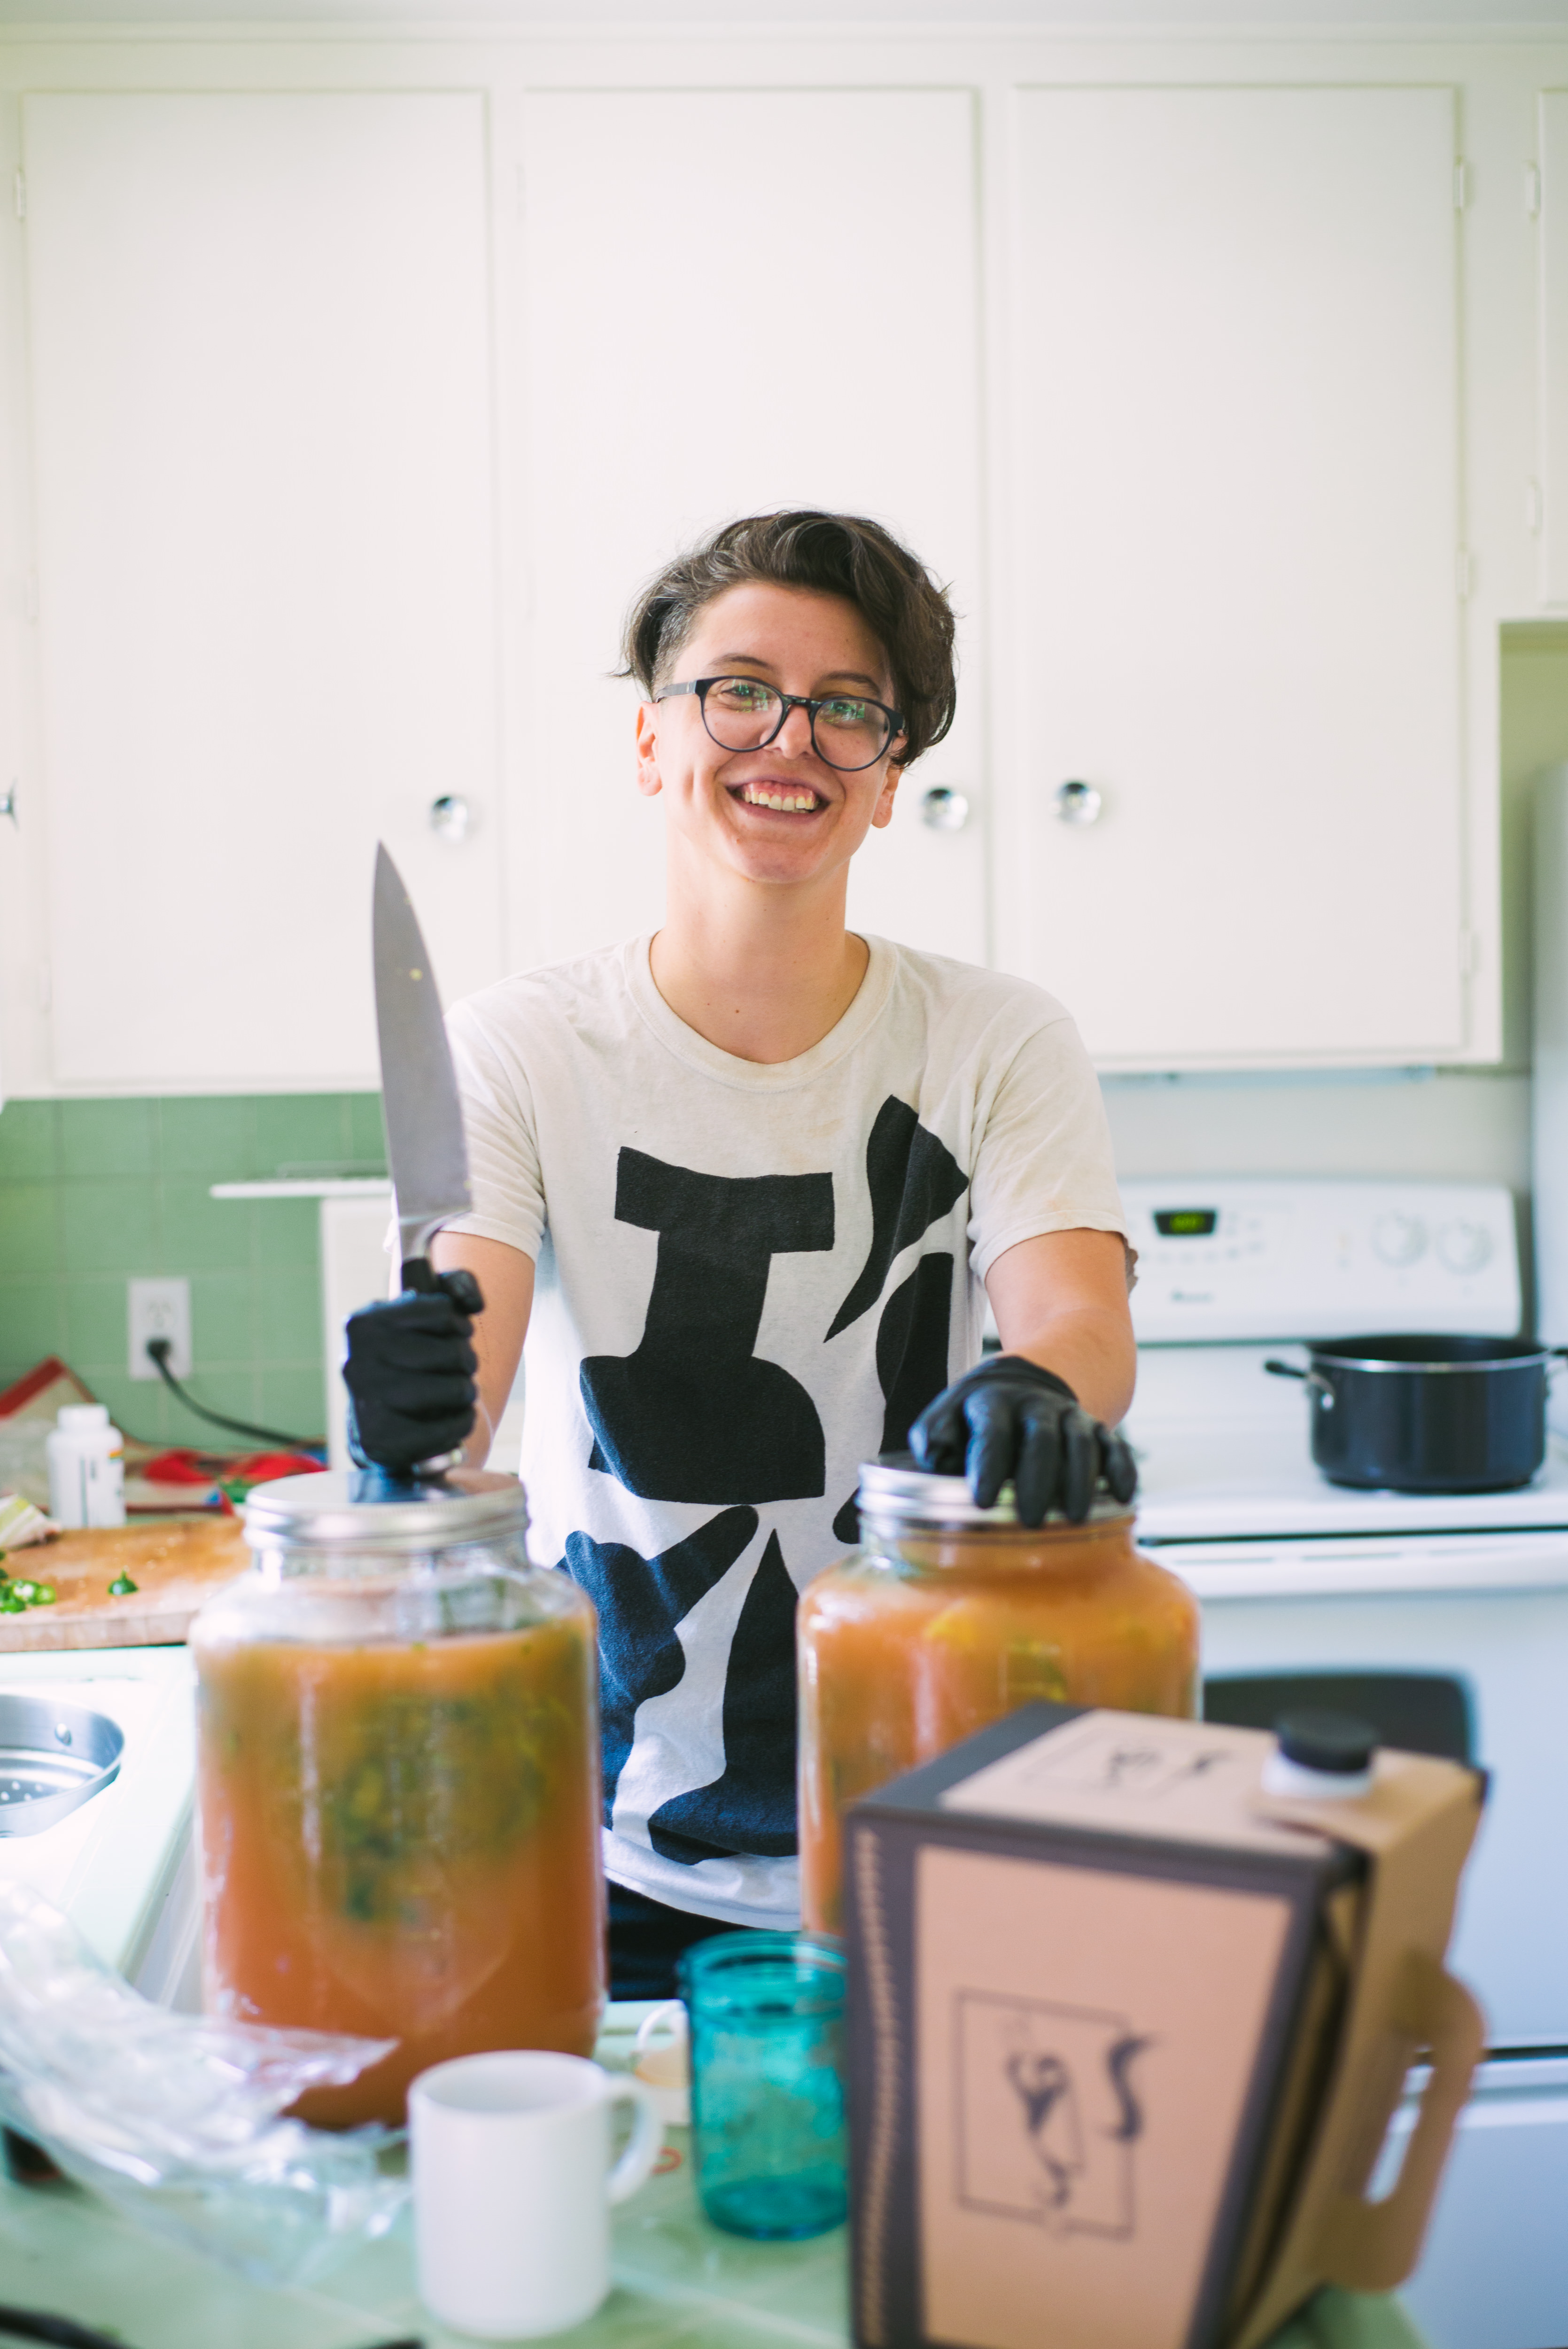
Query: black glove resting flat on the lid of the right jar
{"type": "Point", "coordinates": [1015, 1420]}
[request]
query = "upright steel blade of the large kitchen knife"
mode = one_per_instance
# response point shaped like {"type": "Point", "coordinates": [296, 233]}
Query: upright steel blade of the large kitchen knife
{"type": "Point", "coordinates": [419, 1086]}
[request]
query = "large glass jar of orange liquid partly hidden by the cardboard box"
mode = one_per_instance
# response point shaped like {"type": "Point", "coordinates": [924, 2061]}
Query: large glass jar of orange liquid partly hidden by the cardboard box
{"type": "Point", "coordinates": [952, 1617]}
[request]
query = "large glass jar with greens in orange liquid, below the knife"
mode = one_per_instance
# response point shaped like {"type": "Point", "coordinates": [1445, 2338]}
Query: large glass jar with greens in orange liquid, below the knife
{"type": "Point", "coordinates": [398, 1770]}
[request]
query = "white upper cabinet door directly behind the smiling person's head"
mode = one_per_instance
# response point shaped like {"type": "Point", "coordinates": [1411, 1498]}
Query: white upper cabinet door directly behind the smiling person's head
{"type": "Point", "coordinates": [734, 302]}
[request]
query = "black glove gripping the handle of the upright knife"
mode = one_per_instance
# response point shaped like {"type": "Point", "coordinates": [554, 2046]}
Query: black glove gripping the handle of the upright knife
{"type": "Point", "coordinates": [412, 1375]}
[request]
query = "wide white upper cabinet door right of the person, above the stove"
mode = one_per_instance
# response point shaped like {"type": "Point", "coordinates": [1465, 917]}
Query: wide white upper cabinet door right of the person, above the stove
{"type": "Point", "coordinates": [1234, 553]}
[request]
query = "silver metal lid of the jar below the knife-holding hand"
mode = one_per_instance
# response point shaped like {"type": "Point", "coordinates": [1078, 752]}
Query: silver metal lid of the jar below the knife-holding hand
{"type": "Point", "coordinates": [365, 1509]}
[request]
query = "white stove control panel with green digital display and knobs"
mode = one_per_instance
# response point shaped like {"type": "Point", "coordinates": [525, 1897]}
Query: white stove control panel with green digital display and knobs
{"type": "Point", "coordinates": [1280, 1258]}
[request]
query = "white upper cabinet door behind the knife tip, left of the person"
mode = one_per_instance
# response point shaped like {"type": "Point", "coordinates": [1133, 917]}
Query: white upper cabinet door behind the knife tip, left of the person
{"type": "Point", "coordinates": [262, 384]}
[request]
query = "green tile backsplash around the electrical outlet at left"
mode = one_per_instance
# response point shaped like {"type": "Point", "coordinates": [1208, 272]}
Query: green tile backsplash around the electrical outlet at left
{"type": "Point", "coordinates": [95, 1194]}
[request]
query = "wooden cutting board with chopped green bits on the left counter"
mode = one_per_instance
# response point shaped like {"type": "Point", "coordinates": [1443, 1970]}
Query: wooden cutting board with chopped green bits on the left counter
{"type": "Point", "coordinates": [177, 1563]}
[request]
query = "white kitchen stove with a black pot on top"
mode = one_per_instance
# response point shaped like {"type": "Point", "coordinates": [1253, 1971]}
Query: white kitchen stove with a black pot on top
{"type": "Point", "coordinates": [1306, 1580]}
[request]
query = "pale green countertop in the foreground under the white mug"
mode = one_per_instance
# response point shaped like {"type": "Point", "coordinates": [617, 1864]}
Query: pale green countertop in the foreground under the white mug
{"type": "Point", "coordinates": [680, 2284]}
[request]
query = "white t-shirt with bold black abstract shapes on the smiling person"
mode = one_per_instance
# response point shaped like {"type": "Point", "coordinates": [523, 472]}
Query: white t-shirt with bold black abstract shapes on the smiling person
{"type": "Point", "coordinates": [750, 1281]}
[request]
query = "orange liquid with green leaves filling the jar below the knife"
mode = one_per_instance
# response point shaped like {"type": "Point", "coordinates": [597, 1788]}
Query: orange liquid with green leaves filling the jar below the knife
{"type": "Point", "coordinates": [403, 1840]}
